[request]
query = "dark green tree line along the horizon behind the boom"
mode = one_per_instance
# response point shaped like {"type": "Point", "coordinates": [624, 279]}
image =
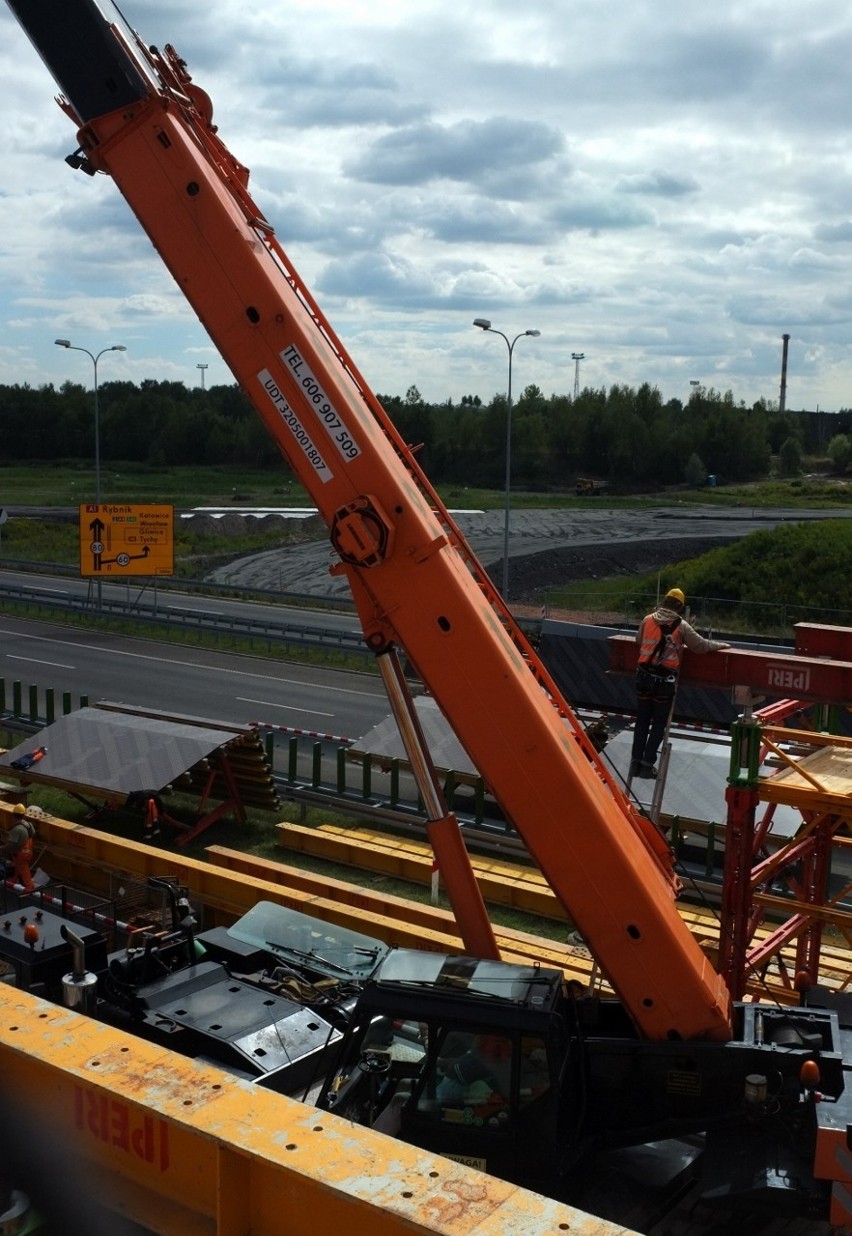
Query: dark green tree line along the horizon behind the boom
{"type": "Point", "coordinates": [625, 436]}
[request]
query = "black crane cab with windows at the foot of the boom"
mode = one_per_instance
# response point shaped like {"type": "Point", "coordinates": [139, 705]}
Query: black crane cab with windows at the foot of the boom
{"type": "Point", "coordinates": [463, 1057]}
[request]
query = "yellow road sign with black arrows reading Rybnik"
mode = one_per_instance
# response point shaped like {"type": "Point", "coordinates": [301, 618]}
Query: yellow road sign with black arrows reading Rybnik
{"type": "Point", "coordinates": [119, 540]}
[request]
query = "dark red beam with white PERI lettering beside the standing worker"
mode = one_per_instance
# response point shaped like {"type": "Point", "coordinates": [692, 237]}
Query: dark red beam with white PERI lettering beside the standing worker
{"type": "Point", "coordinates": [775, 674]}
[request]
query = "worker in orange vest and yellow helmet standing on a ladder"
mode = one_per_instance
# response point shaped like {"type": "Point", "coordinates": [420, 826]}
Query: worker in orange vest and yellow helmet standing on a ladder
{"type": "Point", "coordinates": [662, 638]}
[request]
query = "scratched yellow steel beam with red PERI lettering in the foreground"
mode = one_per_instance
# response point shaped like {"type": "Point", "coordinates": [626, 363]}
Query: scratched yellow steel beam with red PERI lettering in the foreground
{"type": "Point", "coordinates": [185, 1148]}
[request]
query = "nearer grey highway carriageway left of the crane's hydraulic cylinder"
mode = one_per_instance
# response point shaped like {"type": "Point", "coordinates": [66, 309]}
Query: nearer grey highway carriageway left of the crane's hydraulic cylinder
{"type": "Point", "coordinates": [189, 682]}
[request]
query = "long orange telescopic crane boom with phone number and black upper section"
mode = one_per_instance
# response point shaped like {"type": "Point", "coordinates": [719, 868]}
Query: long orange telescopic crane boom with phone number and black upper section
{"type": "Point", "coordinates": [143, 122]}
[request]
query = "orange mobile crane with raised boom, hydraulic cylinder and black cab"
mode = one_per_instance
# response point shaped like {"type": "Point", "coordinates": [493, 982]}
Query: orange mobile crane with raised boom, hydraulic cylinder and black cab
{"type": "Point", "coordinates": [671, 1056]}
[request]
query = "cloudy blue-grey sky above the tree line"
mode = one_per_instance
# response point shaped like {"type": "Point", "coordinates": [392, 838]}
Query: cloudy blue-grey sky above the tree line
{"type": "Point", "coordinates": [666, 188]}
